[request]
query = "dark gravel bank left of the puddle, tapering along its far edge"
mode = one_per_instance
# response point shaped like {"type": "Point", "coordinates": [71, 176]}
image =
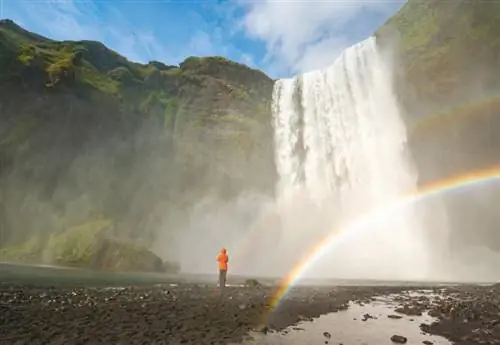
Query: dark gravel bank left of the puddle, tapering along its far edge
{"type": "Point", "coordinates": [161, 314]}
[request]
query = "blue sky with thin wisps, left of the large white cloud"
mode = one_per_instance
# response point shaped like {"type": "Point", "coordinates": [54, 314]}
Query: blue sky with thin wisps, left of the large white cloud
{"type": "Point", "coordinates": [140, 31]}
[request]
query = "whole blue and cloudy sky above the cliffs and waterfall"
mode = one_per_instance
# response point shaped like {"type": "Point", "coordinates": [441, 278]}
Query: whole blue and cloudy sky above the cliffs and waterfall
{"type": "Point", "coordinates": [280, 37]}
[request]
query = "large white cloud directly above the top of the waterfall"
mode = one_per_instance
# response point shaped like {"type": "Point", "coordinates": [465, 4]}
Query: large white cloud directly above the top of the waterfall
{"type": "Point", "coordinates": [301, 35]}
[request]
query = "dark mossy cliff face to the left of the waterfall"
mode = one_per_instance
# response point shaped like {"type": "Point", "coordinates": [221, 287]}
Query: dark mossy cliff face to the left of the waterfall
{"type": "Point", "coordinates": [87, 134]}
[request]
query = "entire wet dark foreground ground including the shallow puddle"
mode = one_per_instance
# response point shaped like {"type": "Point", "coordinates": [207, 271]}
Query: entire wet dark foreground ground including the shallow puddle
{"type": "Point", "coordinates": [197, 314]}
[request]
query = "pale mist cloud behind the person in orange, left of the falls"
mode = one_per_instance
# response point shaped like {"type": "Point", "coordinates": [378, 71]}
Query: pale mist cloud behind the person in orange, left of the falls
{"type": "Point", "coordinates": [213, 223]}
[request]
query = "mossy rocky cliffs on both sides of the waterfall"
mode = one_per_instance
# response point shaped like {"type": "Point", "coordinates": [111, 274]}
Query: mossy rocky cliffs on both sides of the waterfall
{"type": "Point", "coordinates": [88, 135]}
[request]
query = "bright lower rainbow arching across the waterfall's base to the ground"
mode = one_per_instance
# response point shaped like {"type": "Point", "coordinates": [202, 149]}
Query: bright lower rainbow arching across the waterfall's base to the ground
{"type": "Point", "coordinates": [433, 189]}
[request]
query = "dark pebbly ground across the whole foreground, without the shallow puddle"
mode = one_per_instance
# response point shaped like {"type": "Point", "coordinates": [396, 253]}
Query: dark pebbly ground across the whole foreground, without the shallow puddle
{"type": "Point", "coordinates": [196, 314]}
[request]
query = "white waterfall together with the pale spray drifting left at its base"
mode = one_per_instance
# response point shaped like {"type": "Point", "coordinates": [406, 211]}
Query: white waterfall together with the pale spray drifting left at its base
{"type": "Point", "coordinates": [327, 180]}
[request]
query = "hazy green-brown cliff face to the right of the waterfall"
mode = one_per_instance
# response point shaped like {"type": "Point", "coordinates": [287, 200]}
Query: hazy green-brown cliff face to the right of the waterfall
{"type": "Point", "coordinates": [447, 63]}
